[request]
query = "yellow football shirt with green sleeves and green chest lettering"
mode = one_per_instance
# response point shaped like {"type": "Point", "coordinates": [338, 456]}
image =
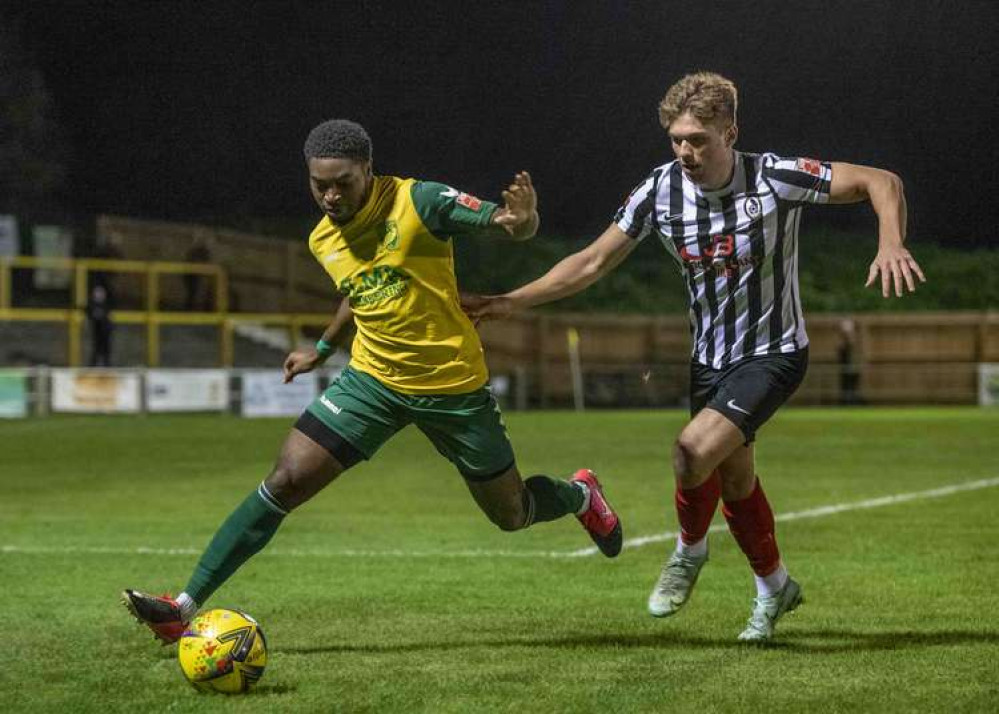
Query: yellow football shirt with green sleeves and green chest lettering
{"type": "Point", "coordinates": [395, 263]}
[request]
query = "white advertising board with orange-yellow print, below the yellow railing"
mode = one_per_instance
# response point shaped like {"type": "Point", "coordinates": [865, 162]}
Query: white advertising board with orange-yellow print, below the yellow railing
{"type": "Point", "coordinates": [95, 390]}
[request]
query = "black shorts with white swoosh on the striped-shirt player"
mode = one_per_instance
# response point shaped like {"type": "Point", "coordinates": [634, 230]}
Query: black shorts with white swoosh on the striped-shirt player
{"type": "Point", "coordinates": [748, 392]}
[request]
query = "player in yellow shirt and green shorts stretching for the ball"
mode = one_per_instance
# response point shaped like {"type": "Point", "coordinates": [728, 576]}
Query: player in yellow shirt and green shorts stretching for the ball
{"type": "Point", "coordinates": [416, 359]}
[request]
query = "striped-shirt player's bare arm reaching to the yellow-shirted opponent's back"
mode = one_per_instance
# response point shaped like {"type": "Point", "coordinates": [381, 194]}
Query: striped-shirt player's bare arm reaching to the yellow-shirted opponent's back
{"type": "Point", "coordinates": [569, 276]}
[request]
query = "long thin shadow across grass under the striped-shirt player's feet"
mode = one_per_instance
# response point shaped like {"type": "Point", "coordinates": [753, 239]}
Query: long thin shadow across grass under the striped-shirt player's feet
{"type": "Point", "coordinates": [824, 641]}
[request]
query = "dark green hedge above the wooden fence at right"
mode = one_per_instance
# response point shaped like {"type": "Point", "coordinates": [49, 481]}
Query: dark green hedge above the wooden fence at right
{"type": "Point", "coordinates": [832, 271]}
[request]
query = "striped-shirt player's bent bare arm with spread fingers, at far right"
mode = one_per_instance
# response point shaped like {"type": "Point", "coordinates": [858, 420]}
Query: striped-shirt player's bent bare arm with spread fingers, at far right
{"type": "Point", "coordinates": [852, 184]}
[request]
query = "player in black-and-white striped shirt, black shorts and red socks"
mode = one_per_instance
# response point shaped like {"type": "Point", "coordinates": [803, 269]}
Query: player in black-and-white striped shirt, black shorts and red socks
{"type": "Point", "coordinates": [730, 220]}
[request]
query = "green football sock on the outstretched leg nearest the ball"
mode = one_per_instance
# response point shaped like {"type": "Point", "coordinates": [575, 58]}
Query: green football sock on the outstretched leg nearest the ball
{"type": "Point", "coordinates": [244, 533]}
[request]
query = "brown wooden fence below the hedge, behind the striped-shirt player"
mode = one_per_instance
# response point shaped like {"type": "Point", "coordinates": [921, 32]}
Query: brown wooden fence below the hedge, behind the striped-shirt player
{"type": "Point", "coordinates": [897, 358]}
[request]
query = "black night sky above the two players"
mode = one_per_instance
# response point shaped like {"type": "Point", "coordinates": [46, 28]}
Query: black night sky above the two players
{"type": "Point", "coordinates": [199, 110]}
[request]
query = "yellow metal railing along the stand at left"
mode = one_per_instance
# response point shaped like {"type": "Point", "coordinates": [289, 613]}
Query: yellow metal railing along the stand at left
{"type": "Point", "coordinates": [151, 317]}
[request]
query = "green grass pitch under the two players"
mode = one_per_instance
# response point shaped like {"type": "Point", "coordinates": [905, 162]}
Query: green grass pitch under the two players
{"type": "Point", "coordinates": [390, 592]}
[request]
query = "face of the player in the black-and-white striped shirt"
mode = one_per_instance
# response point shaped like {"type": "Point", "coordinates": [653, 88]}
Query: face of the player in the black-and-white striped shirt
{"type": "Point", "coordinates": [704, 149]}
